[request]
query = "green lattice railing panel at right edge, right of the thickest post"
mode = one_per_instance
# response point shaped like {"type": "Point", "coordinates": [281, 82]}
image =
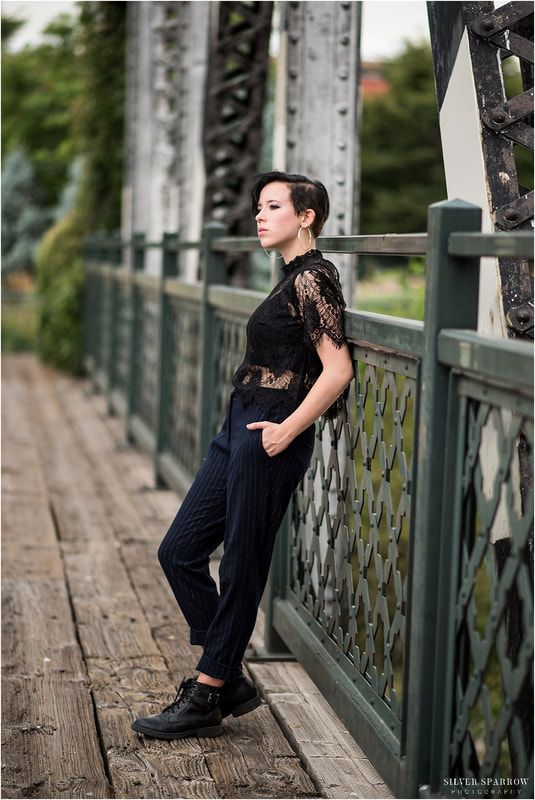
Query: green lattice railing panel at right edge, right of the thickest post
{"type": "Point", "coordinates": [491, 734]}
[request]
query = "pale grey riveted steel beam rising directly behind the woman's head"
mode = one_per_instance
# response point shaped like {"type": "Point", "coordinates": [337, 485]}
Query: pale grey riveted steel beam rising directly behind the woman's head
{"type": "Point", "coordinates": [322, 112]}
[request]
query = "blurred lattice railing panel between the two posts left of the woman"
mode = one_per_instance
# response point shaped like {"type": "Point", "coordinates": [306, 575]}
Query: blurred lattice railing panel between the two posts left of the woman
{"type": "Point", "coordinates": [181, 381]}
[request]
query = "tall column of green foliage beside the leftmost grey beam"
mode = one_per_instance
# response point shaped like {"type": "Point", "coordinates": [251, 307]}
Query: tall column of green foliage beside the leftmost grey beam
{"type": "Point", "coordinates": [97, 129]}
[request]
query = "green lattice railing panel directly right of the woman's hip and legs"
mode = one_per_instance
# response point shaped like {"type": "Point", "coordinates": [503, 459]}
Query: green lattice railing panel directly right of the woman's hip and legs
{"type": "Point", "coordinates": [350, 530]}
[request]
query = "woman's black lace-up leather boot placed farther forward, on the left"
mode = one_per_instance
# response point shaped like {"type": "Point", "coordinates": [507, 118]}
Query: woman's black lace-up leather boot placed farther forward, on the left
{"type": "Point", "coordinates": [195, 711]}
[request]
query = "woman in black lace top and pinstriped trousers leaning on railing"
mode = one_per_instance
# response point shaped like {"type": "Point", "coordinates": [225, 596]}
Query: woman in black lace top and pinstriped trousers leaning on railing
{"type": "Point", "coordinates": [296, 366]}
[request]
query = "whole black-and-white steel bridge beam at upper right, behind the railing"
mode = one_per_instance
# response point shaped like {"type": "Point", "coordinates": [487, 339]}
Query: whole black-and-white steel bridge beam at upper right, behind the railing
{"type": "Point", "coordinates": [466, 39]}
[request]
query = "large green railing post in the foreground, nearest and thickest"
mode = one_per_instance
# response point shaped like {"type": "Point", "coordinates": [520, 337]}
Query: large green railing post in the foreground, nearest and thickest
{"type": "Point", "coordinates": [452, 286]}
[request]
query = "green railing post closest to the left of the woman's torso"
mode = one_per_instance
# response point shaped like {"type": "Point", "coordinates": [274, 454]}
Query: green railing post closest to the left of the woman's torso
{"type": "Point", "coordinates": [214, 272]}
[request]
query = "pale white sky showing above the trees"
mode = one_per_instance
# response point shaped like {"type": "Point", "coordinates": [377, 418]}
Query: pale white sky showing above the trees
{"type": "Point", "coordinates": [385, 23]}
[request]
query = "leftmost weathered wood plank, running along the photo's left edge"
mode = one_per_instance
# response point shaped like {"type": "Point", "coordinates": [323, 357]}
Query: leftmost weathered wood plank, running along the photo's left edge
{"type": "Point", "coordinates": [51, 746]}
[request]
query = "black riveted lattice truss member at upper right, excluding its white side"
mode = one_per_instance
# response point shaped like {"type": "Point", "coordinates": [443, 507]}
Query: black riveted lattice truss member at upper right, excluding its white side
{"type": "Point", "coordinates": [506, 123]}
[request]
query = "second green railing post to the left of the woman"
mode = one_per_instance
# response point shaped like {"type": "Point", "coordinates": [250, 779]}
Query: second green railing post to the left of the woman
{"type": "Point", "coordinates": [169, 269]}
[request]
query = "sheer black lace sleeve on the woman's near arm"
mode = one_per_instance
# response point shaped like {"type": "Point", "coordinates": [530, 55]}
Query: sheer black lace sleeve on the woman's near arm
{"type": "Point", "coordinates": [321, 304]}
